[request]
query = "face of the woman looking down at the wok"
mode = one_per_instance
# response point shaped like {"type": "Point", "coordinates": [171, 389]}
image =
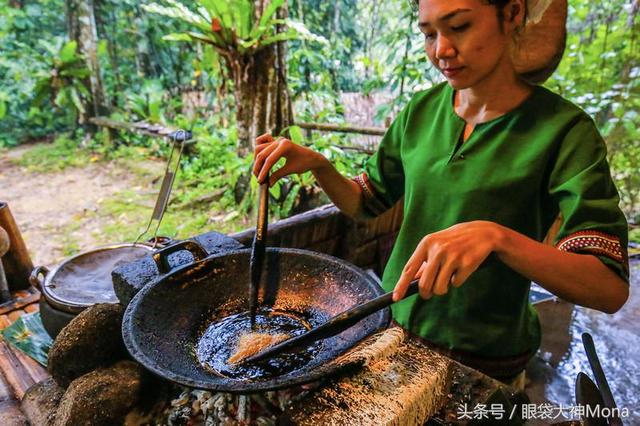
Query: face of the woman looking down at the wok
{"type": "Point", "coordinates": [465, 40]}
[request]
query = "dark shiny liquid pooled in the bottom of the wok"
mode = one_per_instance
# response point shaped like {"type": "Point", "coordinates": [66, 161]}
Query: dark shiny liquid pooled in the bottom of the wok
{"type": "Point", "coordinates": [220, 341]}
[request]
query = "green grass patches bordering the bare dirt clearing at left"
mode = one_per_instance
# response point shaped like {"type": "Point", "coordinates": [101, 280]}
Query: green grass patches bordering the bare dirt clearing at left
{"type": "Point", "coordinates": [123, 216]}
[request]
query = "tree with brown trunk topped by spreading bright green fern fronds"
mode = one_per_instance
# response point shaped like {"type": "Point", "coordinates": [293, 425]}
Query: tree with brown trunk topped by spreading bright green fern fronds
{"type": "Point", "coordinates": [248, 36]}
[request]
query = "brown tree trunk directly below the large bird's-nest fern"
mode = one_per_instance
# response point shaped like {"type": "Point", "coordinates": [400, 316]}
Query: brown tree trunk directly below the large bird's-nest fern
{"type": "Point", "coordinates": [260, 90]}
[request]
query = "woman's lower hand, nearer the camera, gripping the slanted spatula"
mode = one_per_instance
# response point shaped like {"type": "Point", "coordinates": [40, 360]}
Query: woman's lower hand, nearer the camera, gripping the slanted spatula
{"type": "Point", "coordinates": [448, 257]}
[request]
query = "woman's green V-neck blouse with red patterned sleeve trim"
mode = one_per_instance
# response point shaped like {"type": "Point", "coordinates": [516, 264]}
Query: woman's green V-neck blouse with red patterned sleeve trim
{"type": "Point", "coordinates": [519, 170]}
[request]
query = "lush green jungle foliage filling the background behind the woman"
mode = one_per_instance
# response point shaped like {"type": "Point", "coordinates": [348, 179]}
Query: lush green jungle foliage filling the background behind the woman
{"type": "Point", "coordinates": [369, 47]}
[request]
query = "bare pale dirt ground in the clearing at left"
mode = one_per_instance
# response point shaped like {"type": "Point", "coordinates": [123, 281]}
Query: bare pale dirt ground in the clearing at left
{"type": "Point", "coordinates": [51, 208]}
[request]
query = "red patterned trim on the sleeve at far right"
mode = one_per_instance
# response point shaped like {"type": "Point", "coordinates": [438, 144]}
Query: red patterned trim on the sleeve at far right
{"type": "Point", "coordinates": [594, 242]}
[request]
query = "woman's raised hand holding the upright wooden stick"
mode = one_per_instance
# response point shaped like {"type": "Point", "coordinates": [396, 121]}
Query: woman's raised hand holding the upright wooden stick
{"type": "Point", "coordinates": [298, 158]}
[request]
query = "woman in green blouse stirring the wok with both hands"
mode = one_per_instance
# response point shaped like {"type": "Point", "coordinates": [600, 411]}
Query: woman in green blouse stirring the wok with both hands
{"type": "Point", "coordinates": [485, 162]}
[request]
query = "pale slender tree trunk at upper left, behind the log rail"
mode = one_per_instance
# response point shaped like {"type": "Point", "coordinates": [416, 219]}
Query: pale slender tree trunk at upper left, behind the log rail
{"type": "Point", "coordinates": [81, 25]}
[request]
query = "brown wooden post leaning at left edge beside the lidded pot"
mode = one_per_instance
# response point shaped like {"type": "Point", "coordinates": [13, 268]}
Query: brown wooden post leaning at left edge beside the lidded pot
{"type": "Point", "coordinates": [17, 263]}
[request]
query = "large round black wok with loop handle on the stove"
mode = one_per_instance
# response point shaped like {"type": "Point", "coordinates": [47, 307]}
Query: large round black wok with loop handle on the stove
{"type": "Point", "coordinates": [164, 321]}
